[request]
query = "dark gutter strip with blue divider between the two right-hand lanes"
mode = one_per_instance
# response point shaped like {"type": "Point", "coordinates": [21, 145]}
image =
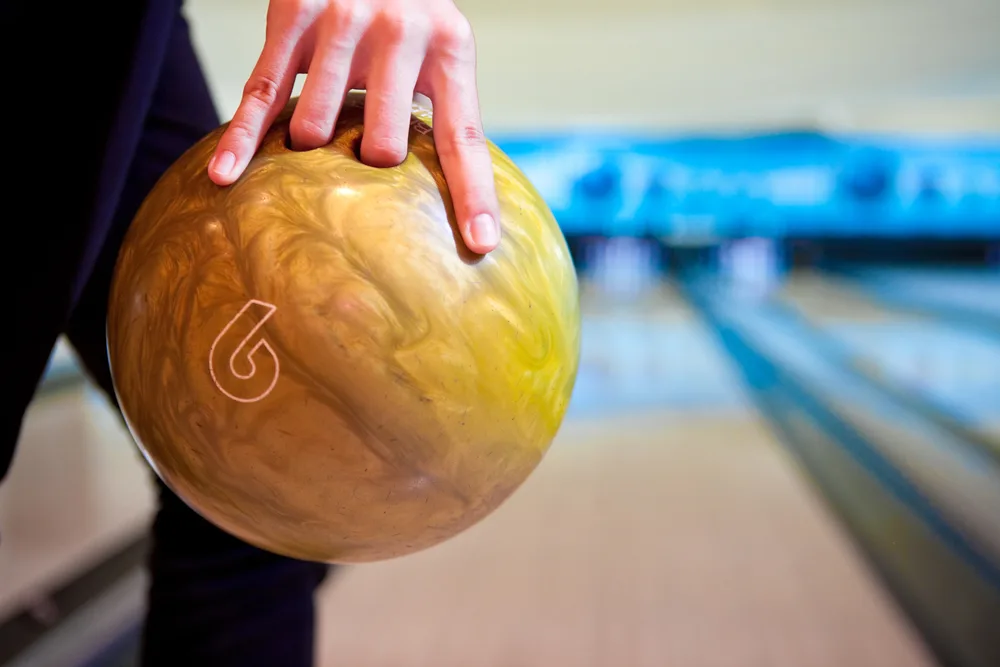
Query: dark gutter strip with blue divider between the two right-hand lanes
{"type": "Point", "coordinates": [917, 494]}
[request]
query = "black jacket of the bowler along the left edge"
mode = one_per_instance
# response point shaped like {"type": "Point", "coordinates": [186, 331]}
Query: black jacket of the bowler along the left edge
{"type": "Point", "coordinates": [80, 79]}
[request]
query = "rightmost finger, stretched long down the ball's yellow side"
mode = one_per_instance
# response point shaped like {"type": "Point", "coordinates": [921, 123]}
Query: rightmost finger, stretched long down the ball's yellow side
{"type": "Point", "coordinates": [461, 144]}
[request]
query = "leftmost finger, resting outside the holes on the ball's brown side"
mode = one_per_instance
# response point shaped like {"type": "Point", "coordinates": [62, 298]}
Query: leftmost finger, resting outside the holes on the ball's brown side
{"type": "Point", "coordinates": [264, 95]}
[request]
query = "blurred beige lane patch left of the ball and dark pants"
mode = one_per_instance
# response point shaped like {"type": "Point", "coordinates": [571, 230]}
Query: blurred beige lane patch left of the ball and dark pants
{"type": "Point", "coordinates": [76, 493]}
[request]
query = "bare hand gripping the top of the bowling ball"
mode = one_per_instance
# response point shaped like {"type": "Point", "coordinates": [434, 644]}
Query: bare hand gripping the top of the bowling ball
{"type": "Point", "coordinates": [391, 48]}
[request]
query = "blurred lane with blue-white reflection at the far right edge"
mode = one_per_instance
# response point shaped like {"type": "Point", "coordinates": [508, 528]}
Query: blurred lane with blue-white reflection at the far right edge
{"type": "Point", "coordinates": [953, 366]}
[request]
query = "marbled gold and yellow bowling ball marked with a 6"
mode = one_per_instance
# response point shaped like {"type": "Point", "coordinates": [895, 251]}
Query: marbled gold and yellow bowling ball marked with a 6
{"type": "Point", "coordinates": [313, 360]}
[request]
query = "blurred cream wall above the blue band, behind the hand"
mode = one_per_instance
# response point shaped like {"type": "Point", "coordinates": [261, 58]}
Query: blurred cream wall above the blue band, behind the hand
{"type": "Point", "coordinates": [698, 64]}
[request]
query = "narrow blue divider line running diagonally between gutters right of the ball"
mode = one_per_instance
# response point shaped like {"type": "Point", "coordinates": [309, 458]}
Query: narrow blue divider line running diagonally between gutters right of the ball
{"type": "Point", "coordinates": [762, 373]}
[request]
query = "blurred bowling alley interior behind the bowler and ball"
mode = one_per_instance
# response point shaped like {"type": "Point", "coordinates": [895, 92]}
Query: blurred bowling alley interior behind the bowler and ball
{"type": "Point", "coordinates": [782, 447]}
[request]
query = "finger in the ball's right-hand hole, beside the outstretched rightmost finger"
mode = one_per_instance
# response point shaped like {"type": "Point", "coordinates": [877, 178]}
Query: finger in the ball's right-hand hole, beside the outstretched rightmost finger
{"type": "Point", "coordinates": [389, 99]}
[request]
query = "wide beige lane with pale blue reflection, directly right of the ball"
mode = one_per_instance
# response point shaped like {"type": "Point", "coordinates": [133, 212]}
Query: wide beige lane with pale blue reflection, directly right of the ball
{"type": "Point", "coordinates": [665, 518]}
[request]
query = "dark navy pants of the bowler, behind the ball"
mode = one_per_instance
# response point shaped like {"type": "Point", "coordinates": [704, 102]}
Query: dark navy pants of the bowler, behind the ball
{"type": "Point", "coordinates": [214, 600]}
